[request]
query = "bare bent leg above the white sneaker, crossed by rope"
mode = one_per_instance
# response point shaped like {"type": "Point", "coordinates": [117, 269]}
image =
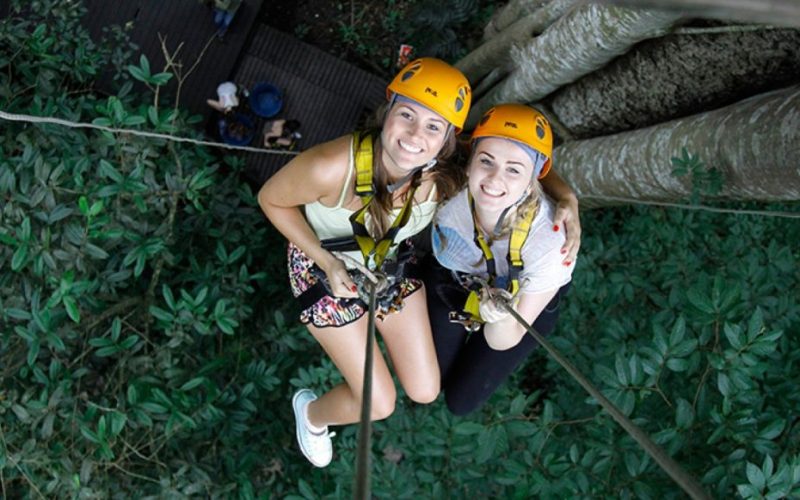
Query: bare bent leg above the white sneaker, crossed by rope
{"type": "Point", "coordinates": [342, 405]}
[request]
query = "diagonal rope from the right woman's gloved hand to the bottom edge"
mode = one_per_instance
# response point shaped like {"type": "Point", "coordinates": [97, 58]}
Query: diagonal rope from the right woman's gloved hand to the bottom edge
{"type": "Point", "coordinates": [688, 483]}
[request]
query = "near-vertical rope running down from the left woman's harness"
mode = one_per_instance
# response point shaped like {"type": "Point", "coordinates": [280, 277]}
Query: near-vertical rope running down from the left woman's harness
{"type": "Point", "coordinates": [362, 487]}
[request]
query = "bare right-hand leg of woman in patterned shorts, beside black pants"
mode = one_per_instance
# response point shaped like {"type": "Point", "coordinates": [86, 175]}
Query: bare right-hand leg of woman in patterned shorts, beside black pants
{"type": "Point", "coordinates": [409, 341]}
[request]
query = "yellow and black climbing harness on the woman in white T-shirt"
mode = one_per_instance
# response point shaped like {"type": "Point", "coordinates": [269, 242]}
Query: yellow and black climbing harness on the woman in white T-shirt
{"type": "Point", "coordinates": [470, 316]}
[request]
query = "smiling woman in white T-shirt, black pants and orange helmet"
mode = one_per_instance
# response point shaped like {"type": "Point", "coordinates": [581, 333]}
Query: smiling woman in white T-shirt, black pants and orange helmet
{"type": "Point", "coordinates": [495, 242]}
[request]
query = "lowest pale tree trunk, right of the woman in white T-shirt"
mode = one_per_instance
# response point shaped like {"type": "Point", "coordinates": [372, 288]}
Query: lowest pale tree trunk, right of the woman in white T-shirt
{"type": "Point", "coordinates": [753, 143]}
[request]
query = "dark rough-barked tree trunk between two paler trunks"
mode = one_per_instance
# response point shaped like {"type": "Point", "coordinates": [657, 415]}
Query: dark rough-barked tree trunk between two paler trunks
{"type": "Point", "coordinates": [675, 76]}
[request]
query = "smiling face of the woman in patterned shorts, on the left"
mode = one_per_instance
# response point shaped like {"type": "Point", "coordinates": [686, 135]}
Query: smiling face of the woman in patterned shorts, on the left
{"type": "Point", "coordinates": [412, 136]}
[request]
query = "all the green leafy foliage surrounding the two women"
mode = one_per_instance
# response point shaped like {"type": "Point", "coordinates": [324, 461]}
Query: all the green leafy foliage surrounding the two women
{"type": "Point", "coordinates": [149, 350]}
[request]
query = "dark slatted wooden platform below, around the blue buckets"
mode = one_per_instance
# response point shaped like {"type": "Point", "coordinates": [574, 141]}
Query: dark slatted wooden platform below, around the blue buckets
{"type": "Point", "coordinates": [328, 96]}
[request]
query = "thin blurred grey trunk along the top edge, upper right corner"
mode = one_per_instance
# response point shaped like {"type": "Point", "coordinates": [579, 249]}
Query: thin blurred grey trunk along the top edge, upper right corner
{"type": "Point", "coordinates": [780, 12]}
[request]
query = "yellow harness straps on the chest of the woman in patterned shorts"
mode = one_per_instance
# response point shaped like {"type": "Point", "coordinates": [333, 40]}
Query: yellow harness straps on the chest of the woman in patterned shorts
{"type": "Point", "coordinates": [370, 249]}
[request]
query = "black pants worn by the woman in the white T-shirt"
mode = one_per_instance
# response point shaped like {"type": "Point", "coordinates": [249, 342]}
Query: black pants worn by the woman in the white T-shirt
{"type": "Point", "coordinates": [471, 370]}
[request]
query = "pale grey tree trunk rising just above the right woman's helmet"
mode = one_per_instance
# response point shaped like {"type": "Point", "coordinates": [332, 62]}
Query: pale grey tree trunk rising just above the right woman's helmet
{"type": "Point", "coordinates": [582, 41]}
